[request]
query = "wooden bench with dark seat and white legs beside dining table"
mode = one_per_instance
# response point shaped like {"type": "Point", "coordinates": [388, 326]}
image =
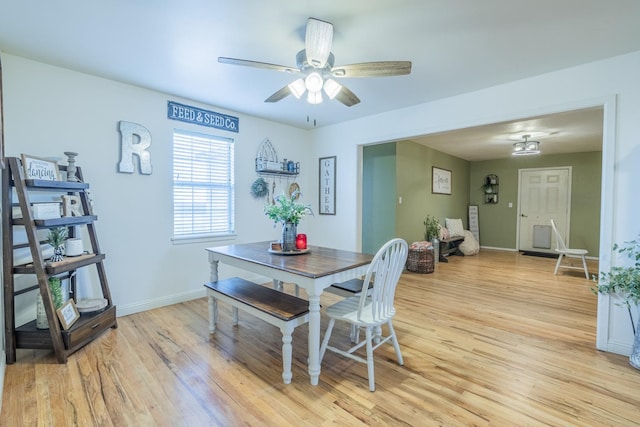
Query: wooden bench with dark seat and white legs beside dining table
{"type": "Point", "coordinates": [277, 308]}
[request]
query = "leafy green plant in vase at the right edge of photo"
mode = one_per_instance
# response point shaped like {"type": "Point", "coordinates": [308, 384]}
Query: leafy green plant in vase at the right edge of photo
{"type": "Point", "coordinates": [625, 282]}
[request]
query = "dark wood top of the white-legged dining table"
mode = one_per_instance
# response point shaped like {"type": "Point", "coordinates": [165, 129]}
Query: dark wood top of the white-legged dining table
{"type": "Point", "coordinates": [318, 262]}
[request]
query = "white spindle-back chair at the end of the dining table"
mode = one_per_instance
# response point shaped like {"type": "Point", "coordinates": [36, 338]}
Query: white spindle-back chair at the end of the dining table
{"type": "Point", "coordinates": [371, 309]}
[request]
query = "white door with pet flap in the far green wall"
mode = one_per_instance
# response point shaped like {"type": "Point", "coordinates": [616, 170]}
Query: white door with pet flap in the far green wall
{"type": "Point", "coordinates": [543, 194]}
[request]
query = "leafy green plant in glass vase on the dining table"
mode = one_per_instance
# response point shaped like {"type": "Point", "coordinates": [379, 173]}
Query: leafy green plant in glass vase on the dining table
{"type": "Point", "coordinates": [288, 212]}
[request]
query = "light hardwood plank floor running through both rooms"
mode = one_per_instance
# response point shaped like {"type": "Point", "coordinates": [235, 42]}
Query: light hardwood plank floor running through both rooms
{"type": "Point", "coordinates": [494, 339]}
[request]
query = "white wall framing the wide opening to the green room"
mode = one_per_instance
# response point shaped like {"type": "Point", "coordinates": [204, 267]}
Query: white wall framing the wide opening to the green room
{"type": "Point", "coordinates": [612, 82]}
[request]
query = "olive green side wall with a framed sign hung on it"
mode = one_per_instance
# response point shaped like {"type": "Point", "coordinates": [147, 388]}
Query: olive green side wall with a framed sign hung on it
{"type": "Point", "coordinates": [413, 165]}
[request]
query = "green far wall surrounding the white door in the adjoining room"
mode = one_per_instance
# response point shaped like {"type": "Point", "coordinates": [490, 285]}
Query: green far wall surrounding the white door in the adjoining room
{"type": "Point", "coordinates": [498, 223]}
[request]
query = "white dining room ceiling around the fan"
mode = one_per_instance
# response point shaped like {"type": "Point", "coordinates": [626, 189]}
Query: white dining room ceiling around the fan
{"type": "Point", "coordinates": [455, 46]}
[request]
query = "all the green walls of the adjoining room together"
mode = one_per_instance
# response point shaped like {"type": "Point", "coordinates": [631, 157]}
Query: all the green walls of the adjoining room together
{"type": "Point", "coordinates": [402, 170]}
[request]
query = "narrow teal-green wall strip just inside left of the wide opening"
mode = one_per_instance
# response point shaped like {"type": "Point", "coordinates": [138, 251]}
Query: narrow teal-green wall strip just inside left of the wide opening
{"type": "Point", "coordinates": [378, 195]}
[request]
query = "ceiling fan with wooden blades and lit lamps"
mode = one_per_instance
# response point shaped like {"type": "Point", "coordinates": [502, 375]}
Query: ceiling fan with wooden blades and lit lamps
{"type": "Point", "coordinates": [316, 70]}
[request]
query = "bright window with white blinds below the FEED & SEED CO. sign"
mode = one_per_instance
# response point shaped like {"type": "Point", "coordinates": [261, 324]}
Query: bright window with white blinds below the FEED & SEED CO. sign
{"type": "Point", "coordinates": [203, 186]}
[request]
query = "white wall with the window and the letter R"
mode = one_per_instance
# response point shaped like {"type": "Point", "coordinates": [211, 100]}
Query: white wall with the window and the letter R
{"type": "Point", "coordinates": [49, 110]}
